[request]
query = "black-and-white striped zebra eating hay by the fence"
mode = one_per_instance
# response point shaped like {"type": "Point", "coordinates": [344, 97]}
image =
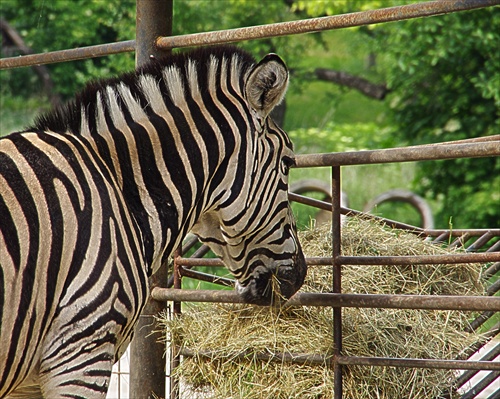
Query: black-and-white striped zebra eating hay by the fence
{"type": "Point", "coordinates": [97, 194]}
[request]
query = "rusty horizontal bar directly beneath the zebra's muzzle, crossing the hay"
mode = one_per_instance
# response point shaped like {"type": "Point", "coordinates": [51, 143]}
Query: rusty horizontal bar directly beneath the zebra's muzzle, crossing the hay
{"type": "Point", "coordinates": [430, 302]}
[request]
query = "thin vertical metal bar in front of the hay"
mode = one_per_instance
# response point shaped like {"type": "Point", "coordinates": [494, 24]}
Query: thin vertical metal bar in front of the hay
{"type": "Point", "coordinates": [337, 275]}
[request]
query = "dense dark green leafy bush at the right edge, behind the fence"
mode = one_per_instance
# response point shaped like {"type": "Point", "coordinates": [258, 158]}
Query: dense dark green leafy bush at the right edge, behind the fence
{"type": "Point", "coordinates": [445, 74]}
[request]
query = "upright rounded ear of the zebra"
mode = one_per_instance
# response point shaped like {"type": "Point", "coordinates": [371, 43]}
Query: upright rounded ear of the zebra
{"type": "Point", "coordinates": [267, 83]}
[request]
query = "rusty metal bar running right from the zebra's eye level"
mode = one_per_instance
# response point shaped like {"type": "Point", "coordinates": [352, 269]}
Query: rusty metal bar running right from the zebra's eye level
{"type": "Point", "coordinates": [401, 154]}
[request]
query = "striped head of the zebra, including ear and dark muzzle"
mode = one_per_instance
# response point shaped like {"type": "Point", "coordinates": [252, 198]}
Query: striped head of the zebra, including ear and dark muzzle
{"type": "Point", "coordinates": [251, 226]}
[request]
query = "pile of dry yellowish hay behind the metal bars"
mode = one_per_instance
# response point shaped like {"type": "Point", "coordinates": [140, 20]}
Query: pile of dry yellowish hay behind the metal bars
{"type": "Point", "coordinates": [228, 330]}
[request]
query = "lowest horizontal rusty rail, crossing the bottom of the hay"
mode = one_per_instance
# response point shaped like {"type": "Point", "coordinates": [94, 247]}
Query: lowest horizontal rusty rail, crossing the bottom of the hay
{"type": "Point", "coordinates": [318, 359]}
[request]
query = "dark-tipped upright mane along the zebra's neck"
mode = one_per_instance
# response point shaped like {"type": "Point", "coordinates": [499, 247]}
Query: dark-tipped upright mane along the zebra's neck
{"type": "Point", "coordinates": [67, 118]}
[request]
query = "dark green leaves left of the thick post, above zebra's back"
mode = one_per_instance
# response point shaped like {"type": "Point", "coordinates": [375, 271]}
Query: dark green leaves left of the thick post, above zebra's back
{"type": "Point", "coordinates": [58, 25]}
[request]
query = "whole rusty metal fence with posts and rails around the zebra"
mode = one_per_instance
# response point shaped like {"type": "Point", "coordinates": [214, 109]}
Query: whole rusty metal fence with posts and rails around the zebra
{"type": "Point", "coordinates": [153, 36]}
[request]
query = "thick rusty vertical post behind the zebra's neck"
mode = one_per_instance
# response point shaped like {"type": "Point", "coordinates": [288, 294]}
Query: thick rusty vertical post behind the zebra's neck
{"type": "Point", "coordinates": [147, 362]}
